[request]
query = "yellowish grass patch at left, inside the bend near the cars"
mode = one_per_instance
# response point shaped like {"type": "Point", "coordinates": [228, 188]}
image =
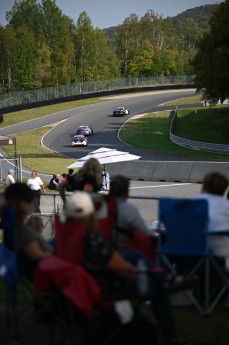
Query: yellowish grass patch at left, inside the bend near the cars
{"type": "Point", "coordinates": [36, 157]}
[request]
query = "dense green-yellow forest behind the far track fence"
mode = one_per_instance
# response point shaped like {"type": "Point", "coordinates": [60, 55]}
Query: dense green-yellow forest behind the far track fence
{"type": "Point", "coordinates": [42, 47]}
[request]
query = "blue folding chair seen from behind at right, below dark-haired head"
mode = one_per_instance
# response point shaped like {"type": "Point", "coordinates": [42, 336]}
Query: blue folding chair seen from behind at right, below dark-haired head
{"type": "Point", "coordinates": [185, 222]}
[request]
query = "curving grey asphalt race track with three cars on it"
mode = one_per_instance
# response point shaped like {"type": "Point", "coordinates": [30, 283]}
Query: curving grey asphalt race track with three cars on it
{"type": "Point", "coordinates": [106, 127]}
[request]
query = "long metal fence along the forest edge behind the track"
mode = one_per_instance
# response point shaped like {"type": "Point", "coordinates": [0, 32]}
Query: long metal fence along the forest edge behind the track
{"type": "Point", "coordinates": [45, 94]}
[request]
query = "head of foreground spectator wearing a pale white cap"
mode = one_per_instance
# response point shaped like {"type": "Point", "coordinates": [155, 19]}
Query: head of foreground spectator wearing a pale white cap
{"type": "Point", "coordinates": [80, 208]}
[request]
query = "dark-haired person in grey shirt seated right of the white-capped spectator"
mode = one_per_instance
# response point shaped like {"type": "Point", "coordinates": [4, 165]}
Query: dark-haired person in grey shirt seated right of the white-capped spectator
{"type": "Point", "coordinates": [128, 216]}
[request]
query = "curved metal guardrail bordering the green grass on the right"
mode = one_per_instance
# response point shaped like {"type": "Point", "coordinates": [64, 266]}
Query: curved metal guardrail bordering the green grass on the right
{"type": "Point", "coordinates": [195, 145]}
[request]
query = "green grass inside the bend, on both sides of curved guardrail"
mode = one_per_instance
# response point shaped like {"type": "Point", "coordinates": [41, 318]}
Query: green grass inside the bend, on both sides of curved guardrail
{"type": "Point", "coordinates": [152, 131]}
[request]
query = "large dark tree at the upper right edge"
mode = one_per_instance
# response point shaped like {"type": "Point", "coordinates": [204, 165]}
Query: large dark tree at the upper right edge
{"type": "Point", "coordinates": [211, 62]}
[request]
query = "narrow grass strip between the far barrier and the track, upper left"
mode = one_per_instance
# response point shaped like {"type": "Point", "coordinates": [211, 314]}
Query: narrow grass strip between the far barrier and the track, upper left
{"type": "Point", "coordinates": [29, 114]}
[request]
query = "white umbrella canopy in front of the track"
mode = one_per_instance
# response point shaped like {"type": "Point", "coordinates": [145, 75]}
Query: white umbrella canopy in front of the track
{"type": "Point", "coordinates": [105, 156]}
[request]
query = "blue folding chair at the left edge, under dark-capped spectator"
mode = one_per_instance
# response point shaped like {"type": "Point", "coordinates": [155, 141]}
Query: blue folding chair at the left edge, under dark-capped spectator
{"type": "Point", "coordinates": [20, 316]}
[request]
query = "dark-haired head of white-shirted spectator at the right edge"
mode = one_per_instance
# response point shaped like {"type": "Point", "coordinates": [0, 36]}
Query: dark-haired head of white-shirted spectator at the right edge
{"type": "Point", "coordinates": [215, 183]}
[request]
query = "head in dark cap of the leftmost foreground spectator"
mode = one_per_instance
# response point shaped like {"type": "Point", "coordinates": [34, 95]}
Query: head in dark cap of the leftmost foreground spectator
{"type": "Point", "coordinates": [20, 196]}
